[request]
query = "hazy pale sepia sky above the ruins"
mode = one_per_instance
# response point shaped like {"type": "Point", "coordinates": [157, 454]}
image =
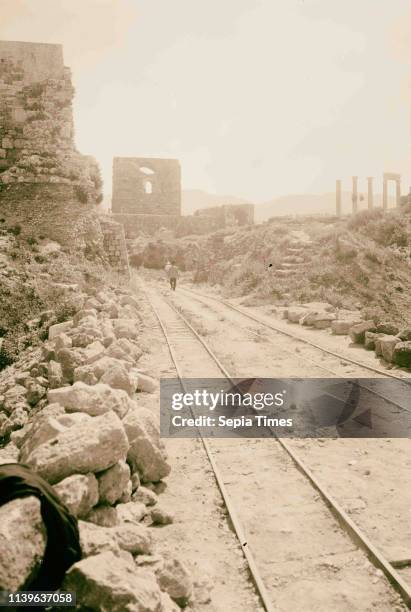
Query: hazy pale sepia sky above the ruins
{"type": "Point", "coordinates": [257, 98]}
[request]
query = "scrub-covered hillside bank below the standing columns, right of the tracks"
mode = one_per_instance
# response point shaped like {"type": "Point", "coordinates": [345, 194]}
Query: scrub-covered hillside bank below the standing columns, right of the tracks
{"type": "Point", "coordinates": [357, 262]}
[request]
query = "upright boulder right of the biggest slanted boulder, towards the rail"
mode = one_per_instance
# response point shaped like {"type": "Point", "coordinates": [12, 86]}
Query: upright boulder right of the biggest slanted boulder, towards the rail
{"type": "Point", "coordinates": [145, 454]}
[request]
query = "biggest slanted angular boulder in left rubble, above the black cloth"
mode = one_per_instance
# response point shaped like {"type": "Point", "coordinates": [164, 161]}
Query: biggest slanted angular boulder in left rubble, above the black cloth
{"type": "Point", "coordinates": [91, 446]}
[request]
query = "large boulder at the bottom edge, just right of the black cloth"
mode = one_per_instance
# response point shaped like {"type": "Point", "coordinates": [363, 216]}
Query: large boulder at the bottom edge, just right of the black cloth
{"type": "Point", "coordinates": [108, 583]}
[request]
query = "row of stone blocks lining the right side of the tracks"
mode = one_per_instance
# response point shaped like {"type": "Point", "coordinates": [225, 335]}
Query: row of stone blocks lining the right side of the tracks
{"type": "Point", "coordinates": [386, 338]}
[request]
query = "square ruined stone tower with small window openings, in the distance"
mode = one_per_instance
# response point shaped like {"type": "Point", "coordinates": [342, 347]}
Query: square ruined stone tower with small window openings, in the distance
{"type": "Point", "coordinates": [146, 186]}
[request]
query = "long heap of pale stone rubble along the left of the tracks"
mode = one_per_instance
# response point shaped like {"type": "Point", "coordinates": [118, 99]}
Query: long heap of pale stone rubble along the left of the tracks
{"type": "Point", "coordinates": [73, 416]}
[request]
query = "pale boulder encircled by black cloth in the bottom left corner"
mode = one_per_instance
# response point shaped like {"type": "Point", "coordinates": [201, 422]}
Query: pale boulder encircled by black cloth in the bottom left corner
{"type": "Point", "coordinates": [22, 542]}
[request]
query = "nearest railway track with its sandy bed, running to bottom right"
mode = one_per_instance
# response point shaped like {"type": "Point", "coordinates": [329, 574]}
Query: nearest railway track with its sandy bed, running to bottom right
{"type": "Point", "coordinates": [295, 513]}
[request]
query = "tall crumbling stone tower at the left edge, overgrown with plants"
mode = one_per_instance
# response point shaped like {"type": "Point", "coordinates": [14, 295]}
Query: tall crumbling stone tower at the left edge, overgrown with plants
{"type": "Point", "coordinates": [37, 152]}
